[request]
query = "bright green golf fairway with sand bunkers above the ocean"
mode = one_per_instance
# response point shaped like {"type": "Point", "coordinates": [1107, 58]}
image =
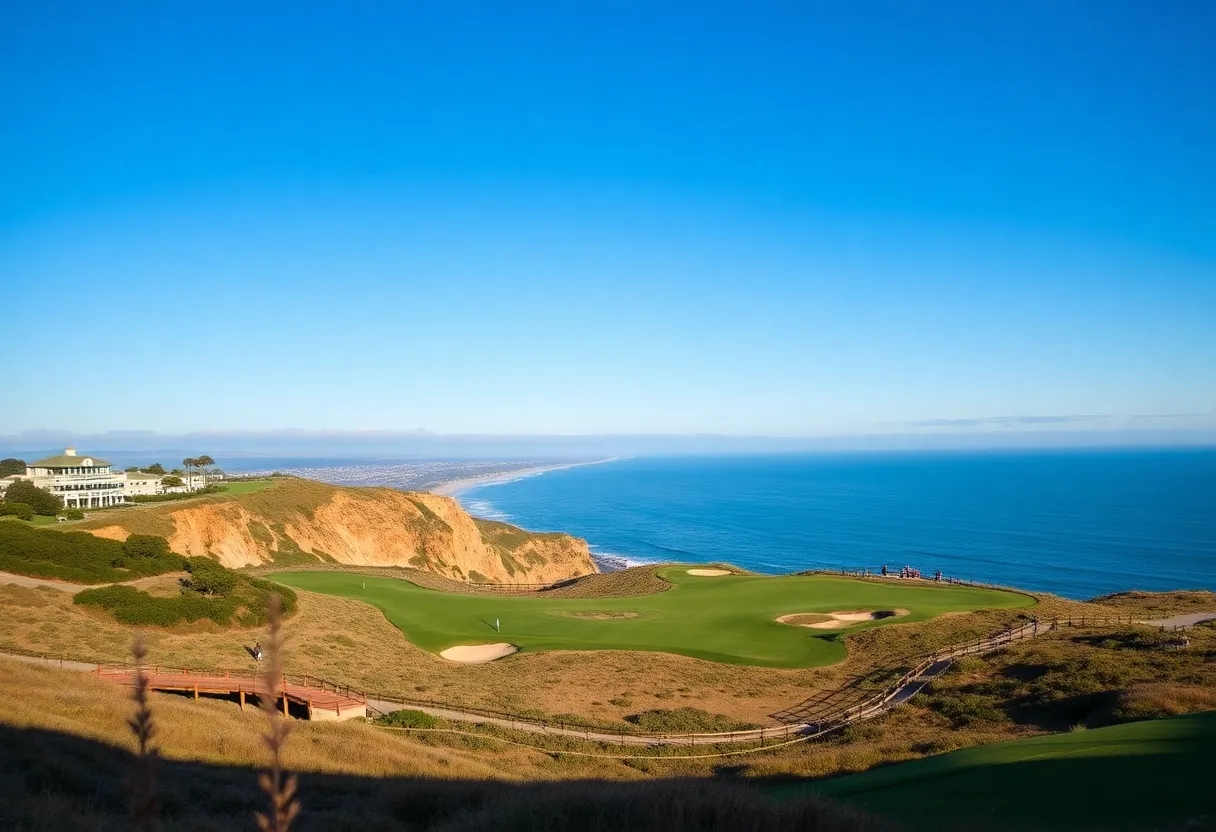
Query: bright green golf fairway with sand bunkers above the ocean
{"type": "Point", "coordinates": [728, 619]}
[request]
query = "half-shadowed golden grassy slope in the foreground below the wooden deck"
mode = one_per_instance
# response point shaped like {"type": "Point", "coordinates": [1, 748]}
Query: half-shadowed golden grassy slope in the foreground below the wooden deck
{"type": "Point", "coordinates": [67, 749]}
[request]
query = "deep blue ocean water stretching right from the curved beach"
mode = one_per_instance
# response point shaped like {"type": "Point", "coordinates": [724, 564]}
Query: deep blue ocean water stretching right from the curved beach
{"type": "Point", "coordinates": [1079, 524]}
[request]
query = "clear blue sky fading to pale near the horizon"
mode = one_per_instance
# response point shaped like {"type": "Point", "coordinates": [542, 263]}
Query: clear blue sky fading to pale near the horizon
{"type": "Point", "coordinates": [786, 220]}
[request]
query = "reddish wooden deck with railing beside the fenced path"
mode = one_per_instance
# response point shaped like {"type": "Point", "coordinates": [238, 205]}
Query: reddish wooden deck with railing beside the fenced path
{"type": "Point", "coordinates": [319, 702]}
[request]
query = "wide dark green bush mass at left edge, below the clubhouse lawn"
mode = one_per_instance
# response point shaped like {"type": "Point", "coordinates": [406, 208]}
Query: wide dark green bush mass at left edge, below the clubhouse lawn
{"type": "Point", "coordinates": [75, 556]}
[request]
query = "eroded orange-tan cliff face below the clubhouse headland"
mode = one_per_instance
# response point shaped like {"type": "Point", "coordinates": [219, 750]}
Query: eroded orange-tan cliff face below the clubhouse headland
{"type": "Point", "coordinates": [359, 526]}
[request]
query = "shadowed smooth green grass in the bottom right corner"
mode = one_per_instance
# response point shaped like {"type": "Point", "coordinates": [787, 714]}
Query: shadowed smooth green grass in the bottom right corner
{"type": "Point", "coordinates": [1151, 775]}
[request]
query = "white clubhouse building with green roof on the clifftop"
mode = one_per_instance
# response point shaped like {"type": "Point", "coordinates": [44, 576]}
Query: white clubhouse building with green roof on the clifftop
{"type": "Point", "coordinates": [87, 482]}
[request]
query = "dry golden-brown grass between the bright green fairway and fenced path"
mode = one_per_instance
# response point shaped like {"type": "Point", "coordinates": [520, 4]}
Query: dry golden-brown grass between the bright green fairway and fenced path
{"type": "Point", "coordinates": [352, 643]}
